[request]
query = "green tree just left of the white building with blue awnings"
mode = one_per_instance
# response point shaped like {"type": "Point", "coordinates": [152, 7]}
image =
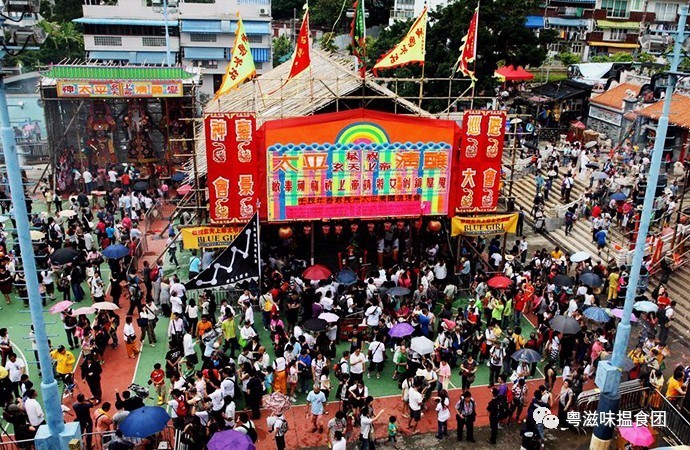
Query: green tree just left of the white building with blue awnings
{"type": "Point", "coordinates": [65, 41]}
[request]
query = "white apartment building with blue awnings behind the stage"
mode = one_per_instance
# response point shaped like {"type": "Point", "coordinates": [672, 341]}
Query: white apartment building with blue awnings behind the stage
{"type": "Point", "coordinates": [201, 33]}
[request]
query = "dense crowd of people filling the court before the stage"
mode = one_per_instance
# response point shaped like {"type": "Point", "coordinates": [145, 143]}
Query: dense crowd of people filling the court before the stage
{"type": "Point", "coordinates": [224, 354]}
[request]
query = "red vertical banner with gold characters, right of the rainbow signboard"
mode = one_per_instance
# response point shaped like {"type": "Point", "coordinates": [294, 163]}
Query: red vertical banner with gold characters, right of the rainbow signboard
{"type": "Point", "coordinates": [478, 176]}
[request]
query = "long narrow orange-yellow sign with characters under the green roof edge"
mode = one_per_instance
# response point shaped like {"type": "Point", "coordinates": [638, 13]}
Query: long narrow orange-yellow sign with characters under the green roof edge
{"type": "Point", "coordinates": [116, 89]}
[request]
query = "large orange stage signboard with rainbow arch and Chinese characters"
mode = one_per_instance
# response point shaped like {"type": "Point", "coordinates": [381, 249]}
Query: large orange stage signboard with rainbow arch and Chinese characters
{"type": "Point", "coordinates": [358, 164]}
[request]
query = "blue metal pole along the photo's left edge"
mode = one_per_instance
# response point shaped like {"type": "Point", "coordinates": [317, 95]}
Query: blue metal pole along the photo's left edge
{"type": "Point", "coordinates": [51, 396]}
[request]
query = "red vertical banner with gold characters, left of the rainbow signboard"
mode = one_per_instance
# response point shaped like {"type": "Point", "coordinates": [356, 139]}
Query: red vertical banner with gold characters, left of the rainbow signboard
{"type": "Point", "coordinates": [233, 166]}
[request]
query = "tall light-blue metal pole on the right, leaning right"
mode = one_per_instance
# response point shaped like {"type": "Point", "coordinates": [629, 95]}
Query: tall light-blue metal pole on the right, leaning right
{"type": "Point", "coordinates": [609, 373]}
